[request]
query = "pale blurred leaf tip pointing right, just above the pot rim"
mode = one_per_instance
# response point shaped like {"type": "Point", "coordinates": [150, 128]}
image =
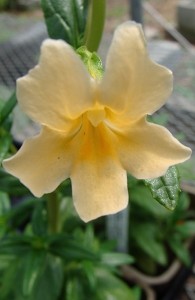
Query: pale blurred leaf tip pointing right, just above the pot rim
{"type": "Point", "coordinates": [116, 259]}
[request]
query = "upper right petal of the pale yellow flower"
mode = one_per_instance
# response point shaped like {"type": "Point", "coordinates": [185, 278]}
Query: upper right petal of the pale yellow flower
{"type": "Point", "coordinates": [133, 84]}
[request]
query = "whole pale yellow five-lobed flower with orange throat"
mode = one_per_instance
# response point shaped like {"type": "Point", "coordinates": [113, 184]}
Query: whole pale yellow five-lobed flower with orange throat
{"type": "Point", "coordinates": [94, 131]}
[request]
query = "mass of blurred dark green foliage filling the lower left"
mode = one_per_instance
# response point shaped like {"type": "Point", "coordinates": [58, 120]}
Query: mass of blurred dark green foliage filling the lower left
{"type": "Point", "coordinates": [71, 264]}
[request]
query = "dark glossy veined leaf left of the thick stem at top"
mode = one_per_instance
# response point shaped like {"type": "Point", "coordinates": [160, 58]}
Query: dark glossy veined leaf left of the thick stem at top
{"type": "Point", "coordinates": [66, 20]}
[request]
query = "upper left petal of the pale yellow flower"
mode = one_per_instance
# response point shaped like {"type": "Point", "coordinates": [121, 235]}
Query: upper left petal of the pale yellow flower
{"type": "Point", "coordinates": [56, 90]}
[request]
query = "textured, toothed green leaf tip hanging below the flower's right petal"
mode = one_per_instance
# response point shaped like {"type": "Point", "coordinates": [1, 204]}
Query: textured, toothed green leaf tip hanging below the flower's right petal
{"type": "Point", "coordinates": [165, 189]}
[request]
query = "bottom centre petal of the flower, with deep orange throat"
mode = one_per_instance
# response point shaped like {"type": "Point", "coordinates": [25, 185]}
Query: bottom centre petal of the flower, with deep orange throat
{"type": "Point", "coordinates": [99, 183]}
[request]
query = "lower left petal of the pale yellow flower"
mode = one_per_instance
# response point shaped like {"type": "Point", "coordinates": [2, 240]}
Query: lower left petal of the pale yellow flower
{"type": "Point", "coordinates": [43, 162]}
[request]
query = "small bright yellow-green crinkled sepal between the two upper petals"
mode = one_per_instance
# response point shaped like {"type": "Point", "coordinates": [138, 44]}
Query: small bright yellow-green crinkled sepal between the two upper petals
{"type": "Point", "coordinates": [92, 61]}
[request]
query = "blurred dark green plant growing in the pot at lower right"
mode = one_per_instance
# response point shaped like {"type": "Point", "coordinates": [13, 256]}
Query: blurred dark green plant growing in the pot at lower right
{"type": "Point", "coordinates": [158, 234]}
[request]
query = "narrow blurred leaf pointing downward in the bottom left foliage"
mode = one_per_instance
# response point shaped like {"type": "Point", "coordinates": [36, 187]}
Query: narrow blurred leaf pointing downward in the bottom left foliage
{"type": "Point", "coordinates": [34, 265]}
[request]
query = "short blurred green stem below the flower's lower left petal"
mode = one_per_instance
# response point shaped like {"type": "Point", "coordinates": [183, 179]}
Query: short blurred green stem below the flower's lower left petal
{"type": "Point", "coordinates": [53, 212]}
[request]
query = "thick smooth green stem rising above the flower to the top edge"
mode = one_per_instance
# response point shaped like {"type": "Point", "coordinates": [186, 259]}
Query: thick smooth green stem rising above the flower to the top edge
{"type": "Point", "coordinates": [95, 24]}
